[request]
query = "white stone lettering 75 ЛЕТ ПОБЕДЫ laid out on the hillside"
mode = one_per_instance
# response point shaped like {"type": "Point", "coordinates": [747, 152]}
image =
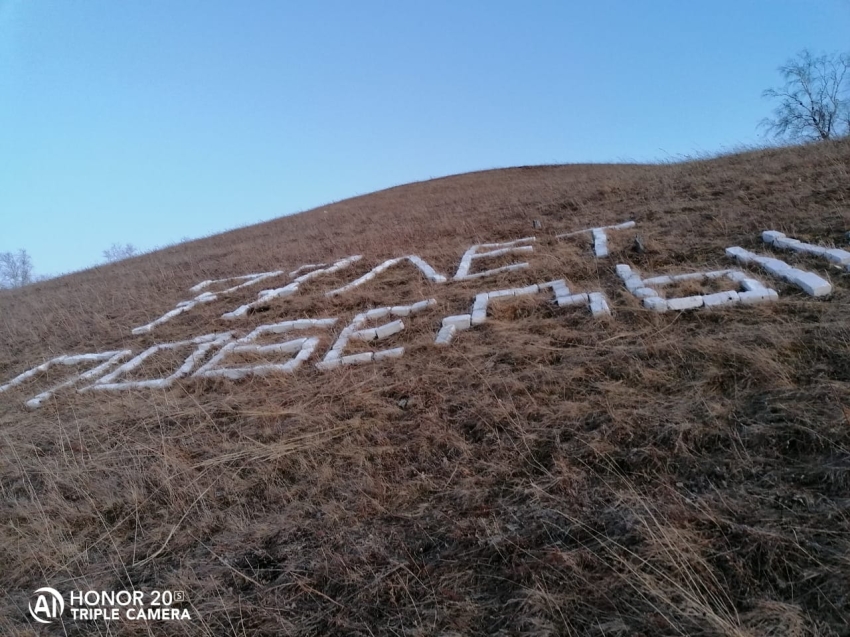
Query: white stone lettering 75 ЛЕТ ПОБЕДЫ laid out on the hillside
{"type": "Point", "coordinates": [648, 290]}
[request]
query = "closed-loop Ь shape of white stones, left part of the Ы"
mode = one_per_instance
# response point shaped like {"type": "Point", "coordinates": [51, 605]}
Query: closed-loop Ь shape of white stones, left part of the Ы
{"type": "Point", "coordinates": [754, 291]}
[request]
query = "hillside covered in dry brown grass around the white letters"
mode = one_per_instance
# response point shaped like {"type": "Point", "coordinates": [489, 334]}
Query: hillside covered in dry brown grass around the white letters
{"type": "Point", "coordinates": [548, 473]}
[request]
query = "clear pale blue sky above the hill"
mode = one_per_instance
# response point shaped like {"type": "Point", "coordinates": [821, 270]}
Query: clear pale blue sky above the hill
{"type": "Point", "coordinates": [147, 121]}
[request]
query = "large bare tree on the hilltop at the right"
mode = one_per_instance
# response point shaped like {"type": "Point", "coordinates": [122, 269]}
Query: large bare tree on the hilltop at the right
{"type": "Point", "coordinates": [813, 103]}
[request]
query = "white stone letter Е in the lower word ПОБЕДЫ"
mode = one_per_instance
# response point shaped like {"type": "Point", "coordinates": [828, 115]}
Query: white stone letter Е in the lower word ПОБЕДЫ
{"type": "Point", "coordinates": [354, 330]}
